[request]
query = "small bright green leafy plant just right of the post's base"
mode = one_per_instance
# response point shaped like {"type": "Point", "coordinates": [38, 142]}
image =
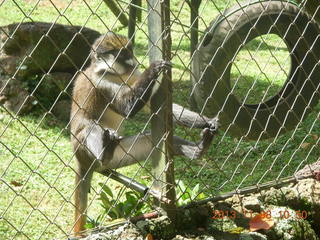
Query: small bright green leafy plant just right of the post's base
{"type": "Point", "coordinates": [186, 195]}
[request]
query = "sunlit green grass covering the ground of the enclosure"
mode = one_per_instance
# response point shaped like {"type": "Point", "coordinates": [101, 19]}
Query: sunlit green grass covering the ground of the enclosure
{"type": "Point", "coordinates": [36, 164]}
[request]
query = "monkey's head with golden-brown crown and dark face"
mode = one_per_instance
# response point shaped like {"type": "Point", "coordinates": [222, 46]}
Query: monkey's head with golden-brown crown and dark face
{"type": "Point", "coordinates": [113, 55]}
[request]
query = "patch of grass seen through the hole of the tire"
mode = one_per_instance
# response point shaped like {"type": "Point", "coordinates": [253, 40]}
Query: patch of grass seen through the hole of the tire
{"type": "Point", "coordinates": [252, 79]}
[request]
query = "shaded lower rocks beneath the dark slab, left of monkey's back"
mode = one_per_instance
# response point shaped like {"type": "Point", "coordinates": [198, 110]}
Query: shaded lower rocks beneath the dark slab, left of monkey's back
{"type": "Point", "coordinates": [20, 95]}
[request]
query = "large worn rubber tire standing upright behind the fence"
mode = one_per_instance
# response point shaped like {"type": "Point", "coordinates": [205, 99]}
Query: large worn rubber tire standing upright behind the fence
{"type": "Point", "coordinates": [220, 45]}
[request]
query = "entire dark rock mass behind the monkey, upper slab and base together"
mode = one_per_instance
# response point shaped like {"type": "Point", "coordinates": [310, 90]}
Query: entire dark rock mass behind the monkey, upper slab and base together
{"type": "Point", "coordinates": [28, 51]}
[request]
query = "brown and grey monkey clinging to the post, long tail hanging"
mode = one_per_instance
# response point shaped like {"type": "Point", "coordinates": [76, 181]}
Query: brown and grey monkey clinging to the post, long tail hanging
{"type": "Point", "coordinates": [110, 90]}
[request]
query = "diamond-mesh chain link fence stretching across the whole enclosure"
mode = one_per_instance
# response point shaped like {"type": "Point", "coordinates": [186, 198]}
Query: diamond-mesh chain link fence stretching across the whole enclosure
{"type": "Point", "coordinates": [254, 65]}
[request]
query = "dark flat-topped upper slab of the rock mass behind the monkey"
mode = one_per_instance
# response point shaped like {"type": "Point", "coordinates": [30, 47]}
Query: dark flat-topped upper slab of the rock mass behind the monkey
{"type": "Point", "coordinates": [36, 47]}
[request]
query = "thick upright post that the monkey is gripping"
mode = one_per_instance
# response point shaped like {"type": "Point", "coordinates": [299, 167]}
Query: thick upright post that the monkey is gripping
{"type": "Point", "coordinates": [161, 103]}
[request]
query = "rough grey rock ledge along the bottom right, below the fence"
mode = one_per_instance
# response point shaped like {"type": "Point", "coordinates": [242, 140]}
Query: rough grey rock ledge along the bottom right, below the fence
{"type": "Point", "coordinates": [289, 222]}
